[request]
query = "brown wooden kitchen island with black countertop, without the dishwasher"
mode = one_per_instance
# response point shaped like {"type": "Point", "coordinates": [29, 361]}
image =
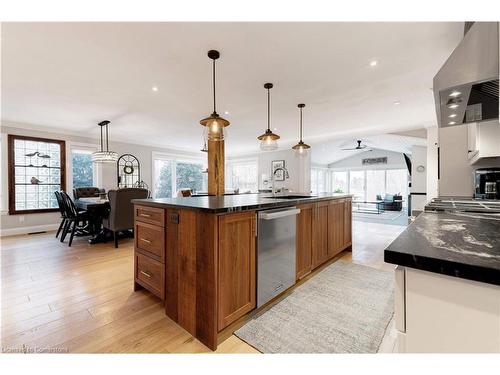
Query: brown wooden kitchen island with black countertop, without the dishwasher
{"type": "Point", "coordinates": [199, 254]}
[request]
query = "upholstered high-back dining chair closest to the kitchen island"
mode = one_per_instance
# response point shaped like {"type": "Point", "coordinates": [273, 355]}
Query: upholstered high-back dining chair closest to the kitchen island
{"type": "Point", "coordinates": [121, 213]}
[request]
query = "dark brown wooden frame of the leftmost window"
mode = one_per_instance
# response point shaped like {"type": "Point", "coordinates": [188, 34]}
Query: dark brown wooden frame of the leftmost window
{"type": "Point", "coordinates": [11, 172]}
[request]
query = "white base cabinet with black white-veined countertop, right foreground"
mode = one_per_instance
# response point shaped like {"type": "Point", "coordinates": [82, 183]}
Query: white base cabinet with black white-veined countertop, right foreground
{"type": "Point", "coordinates": [447, 295]}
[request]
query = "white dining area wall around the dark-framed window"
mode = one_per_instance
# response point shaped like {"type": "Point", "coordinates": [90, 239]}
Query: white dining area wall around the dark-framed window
{"type": "Point", "coordinates": [17, 224]}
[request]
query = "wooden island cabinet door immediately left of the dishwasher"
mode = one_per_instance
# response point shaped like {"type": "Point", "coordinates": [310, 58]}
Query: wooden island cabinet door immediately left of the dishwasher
{"type": "Point", "coordinates": [236, 262]}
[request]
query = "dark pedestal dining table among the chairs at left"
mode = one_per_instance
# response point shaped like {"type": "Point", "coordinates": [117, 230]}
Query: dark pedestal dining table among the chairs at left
{"type": "Point", "coordinates": [97, 209]}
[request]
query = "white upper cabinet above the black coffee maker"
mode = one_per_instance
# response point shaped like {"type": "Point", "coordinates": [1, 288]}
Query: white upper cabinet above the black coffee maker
{"type": "Point", "coordinates": [483, 140]}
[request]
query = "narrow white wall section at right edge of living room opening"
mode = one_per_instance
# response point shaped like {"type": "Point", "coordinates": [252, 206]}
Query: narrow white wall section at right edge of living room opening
{"type": "Point", "coordinates": [418, 179]}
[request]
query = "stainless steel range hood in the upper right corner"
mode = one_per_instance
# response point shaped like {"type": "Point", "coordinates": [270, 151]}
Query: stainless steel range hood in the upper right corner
{"type": "Point", "coordinates": [466, 87]}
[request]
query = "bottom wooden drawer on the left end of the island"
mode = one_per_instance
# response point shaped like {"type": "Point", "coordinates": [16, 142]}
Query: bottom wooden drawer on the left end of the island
{"type": "Point", "coordinates": [150, 274]}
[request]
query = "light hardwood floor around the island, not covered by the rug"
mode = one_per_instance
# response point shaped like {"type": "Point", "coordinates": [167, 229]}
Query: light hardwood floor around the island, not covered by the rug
{"type": "Point", "coordinates": [80, 299]}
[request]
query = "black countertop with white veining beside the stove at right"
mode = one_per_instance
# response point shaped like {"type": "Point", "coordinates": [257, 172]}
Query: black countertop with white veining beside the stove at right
{"type": "Point", "coordinates": [460, 244]}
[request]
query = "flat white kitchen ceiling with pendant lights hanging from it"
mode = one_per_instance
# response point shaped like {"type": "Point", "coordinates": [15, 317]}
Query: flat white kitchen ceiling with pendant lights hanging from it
{"type": "Point", "coordinates": [73, 75]}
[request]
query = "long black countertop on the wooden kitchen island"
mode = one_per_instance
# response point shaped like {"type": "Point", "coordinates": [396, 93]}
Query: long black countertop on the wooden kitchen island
{"type": "Point", "coordinates": [234, 203]}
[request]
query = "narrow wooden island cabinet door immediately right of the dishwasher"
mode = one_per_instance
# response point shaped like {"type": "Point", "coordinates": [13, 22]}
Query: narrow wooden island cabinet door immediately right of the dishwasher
{"type": "Point", "coordinates": [304, 240]}
